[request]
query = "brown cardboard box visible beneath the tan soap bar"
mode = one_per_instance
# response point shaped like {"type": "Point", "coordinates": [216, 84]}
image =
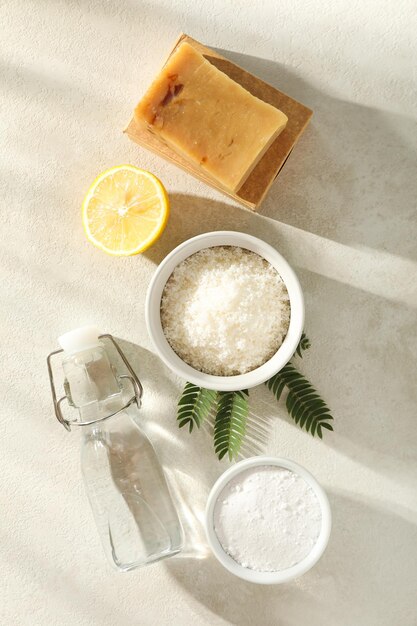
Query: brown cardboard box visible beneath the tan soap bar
{"type": "Point", "coordinates": [263, 175]}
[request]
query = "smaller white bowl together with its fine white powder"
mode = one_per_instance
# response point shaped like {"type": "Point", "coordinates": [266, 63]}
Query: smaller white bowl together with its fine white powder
{"type": "Point", "coordinates": [267, 520]}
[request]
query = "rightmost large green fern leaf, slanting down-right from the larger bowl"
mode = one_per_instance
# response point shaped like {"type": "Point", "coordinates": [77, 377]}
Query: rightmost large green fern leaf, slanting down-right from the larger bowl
{"type": "Point", "coordinates": [303, 402]}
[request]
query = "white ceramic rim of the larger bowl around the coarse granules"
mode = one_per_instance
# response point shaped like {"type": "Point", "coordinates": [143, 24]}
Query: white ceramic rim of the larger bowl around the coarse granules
{"type": "Point", "coordinates": [153, 311]}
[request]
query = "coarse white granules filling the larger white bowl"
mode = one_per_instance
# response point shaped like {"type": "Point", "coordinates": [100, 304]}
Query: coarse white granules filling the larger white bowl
{"type": "Point", "coordinates": [225, 310]}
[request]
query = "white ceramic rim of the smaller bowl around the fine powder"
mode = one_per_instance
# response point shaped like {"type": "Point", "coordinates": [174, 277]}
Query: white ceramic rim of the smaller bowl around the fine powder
{"type": "Point", "coordinates": [282, 576]}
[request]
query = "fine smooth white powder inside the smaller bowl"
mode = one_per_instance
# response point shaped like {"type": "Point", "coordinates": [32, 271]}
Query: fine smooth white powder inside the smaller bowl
{"type": "Point", "coordinates": [267, 518]}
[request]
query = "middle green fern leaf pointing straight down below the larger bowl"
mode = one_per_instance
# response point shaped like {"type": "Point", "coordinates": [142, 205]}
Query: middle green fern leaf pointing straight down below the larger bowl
{"type": "Point", "coordinates": [230, 422]}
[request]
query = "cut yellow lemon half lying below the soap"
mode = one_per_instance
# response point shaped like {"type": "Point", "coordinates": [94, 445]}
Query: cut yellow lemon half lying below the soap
{"type": "Point", "coordinates": [125, 210]}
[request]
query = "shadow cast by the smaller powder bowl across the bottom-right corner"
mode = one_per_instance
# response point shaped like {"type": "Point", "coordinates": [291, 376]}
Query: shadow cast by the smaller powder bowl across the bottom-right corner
{"type": "Point", "coordinates": [351, 584]}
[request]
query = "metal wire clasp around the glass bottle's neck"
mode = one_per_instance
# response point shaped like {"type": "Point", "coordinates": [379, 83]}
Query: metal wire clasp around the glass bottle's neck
{"type": "Point", "coordinates": [134, 380]}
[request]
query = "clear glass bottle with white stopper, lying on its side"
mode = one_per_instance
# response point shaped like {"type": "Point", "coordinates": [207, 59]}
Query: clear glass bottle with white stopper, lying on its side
{"type": "Point", "coordinates": [125, 483]}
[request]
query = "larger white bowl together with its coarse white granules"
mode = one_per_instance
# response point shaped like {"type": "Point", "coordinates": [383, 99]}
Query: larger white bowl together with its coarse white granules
{"type": "Point", "coordinates": [225, 311]}
